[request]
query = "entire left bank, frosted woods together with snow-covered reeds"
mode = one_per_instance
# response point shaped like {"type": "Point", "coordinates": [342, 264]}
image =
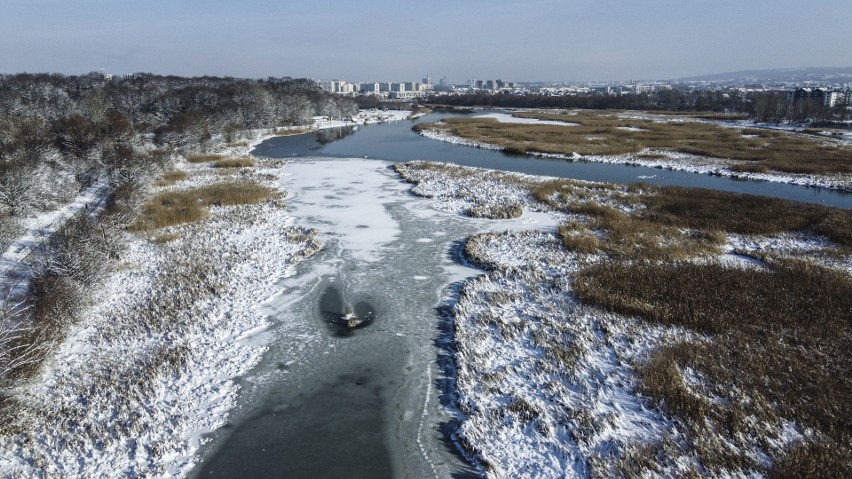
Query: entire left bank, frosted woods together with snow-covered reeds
{"type": "Point", "coordinates": [137, 237]}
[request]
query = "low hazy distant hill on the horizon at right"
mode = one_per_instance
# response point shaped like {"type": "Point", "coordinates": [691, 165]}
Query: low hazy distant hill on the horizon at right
{"type": "Point", "coordinates": [780, 75]}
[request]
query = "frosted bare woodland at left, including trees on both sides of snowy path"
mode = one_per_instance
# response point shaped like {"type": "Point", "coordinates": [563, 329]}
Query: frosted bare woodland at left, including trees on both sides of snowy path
{"type": "Point", "coordinates": [62, 134]}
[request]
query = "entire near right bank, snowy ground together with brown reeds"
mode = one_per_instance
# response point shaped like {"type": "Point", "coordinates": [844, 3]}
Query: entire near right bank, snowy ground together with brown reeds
{"type": "Point", "coordinates": [657, 332]}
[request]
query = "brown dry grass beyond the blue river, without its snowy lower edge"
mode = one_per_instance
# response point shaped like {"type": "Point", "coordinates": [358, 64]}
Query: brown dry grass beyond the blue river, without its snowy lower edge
{"type": "Point", "coordinates": [753, 150]}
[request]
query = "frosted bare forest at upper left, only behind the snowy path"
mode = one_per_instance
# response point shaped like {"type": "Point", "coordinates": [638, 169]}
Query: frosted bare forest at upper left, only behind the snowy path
{"type": "Point", "coordinates": [59, 133]}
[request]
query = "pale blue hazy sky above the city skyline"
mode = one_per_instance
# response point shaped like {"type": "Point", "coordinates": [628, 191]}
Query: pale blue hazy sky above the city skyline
{"type": "Point", "coordinates": [359, 40]}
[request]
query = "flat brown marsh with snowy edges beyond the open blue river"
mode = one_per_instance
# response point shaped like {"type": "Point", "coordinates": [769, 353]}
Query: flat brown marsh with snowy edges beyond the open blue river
{"type": "Point", "coordinates": [658, 140]}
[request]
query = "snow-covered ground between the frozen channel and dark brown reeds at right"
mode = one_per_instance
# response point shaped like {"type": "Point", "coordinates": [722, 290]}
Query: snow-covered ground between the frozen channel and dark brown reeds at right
{"type": "Point", "coordinates": [546, 383]}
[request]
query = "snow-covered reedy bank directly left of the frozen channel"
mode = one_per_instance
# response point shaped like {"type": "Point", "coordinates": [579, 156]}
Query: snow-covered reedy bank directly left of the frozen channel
{"type": "Point", "coordinates": [148, 369]}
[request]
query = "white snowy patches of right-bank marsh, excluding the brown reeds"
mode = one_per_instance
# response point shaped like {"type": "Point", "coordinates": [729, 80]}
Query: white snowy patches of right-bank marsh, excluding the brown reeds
{"type": "Point", "coordinates": [549, 385]}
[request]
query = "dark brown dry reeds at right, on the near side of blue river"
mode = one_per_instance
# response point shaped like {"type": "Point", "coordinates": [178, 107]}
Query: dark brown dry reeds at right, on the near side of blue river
{"type": "Point", "coordinates": [791, 321]}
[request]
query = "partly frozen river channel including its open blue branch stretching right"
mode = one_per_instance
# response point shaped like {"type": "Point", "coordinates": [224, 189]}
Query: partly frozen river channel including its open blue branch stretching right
{"type": "Point", "coordinates": [372, 402]}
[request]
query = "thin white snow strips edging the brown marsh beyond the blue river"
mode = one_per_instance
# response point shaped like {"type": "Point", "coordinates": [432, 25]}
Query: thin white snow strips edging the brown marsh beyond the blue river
{"type": "Point", "coordinates": [667, 160]}
